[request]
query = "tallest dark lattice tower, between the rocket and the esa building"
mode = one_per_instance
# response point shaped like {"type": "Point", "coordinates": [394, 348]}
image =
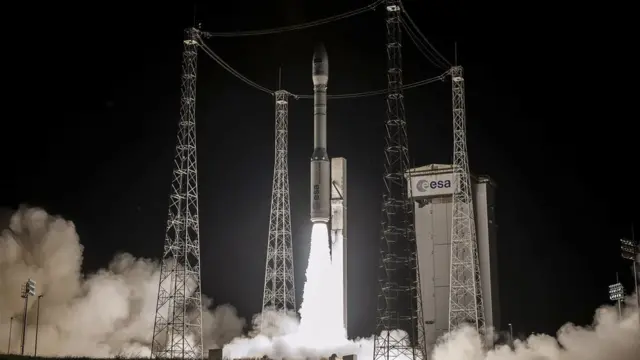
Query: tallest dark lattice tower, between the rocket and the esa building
{"type": "Point", "coordinates": [399, 303]}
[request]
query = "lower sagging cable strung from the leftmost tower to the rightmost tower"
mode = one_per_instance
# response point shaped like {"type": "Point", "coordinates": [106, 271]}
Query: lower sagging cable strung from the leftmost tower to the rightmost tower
{"type": "Point", "coordinates": [264, 89]}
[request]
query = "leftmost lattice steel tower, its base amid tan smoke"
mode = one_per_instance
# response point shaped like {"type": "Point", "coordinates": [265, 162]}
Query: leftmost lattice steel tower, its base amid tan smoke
{"type": "Point", "coordinates": [177, 331]}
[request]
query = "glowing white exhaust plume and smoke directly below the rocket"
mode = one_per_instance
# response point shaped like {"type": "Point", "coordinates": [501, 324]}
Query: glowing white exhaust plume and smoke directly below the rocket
{"type": "Point", "coordinates": [320, 331]}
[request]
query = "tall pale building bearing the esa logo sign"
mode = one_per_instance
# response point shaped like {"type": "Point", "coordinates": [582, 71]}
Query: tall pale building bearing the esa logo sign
{"type": "Point", "coordinates": [432, 187]}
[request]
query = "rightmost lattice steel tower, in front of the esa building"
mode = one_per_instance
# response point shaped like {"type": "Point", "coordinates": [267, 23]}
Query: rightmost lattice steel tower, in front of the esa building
{"type": "Point", "coordinates": [465, 294]}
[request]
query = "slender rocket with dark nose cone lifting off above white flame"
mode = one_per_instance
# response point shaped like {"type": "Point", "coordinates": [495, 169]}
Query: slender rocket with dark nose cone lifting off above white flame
{"type": "Point", "coordinates": [320, 163]}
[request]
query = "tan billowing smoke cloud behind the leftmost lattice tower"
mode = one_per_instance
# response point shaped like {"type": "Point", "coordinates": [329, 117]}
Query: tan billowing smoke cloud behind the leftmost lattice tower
{"type": "Point", "coordinates": [109, 313]}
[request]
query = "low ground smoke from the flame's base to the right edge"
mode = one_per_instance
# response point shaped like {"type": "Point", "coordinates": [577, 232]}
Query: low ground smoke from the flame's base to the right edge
{"type": "Point", "coordinates": [610, 337]}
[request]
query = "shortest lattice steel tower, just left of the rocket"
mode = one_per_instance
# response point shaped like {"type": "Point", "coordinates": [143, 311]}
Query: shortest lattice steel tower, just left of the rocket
{"type": "Point", "coordinates": [279, 287]}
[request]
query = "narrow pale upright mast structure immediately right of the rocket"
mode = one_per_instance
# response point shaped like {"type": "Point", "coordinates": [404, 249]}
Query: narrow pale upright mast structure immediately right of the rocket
{"type": "Point", "coordinates": [339, 228]}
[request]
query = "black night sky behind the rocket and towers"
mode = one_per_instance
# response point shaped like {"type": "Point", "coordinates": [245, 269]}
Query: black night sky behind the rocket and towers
{"type": "Point", "coordinates": [95, 99]}
